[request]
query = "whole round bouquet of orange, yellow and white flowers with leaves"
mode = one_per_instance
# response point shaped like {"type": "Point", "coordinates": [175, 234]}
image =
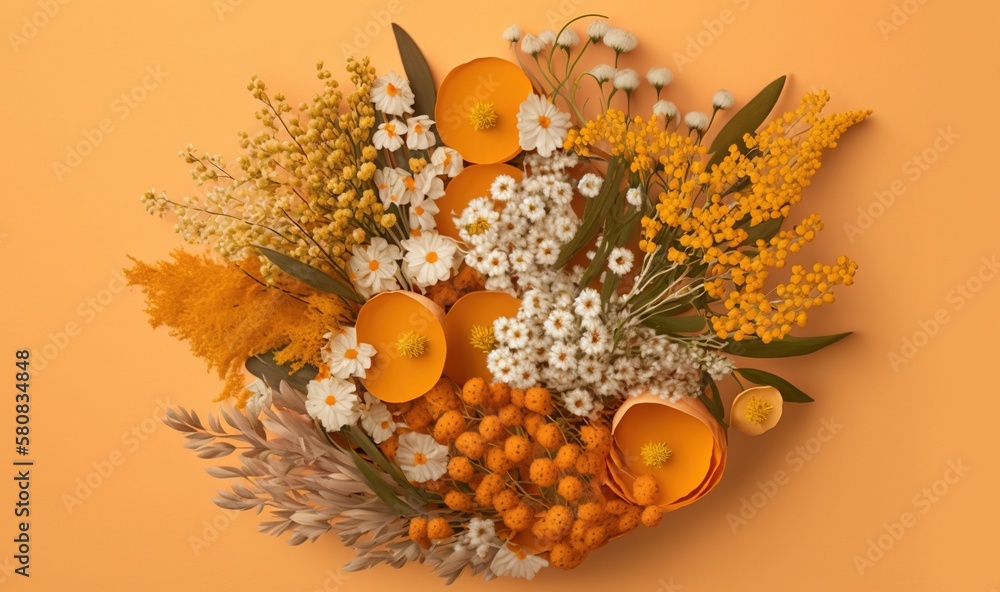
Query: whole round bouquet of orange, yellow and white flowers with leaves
{"type": "Point", "coordinates": [489, 319]}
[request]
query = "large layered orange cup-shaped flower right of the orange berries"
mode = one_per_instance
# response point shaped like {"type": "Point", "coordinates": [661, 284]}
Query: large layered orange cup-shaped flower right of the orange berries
{"type": "Point", "coordinates": [679, 444]}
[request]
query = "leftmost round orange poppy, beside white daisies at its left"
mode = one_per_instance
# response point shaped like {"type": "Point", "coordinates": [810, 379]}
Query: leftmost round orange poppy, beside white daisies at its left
{"type": "Point", "coordinates": [410, 348]}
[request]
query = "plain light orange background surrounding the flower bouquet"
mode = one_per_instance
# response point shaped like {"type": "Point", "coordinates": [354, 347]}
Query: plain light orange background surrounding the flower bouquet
{"type": "Point", "coordinates": [61, 242]}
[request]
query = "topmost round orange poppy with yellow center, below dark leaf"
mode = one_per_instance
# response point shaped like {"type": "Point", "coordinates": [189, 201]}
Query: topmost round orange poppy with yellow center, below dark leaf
{"type": "Point", "coordinates": [477, 106]}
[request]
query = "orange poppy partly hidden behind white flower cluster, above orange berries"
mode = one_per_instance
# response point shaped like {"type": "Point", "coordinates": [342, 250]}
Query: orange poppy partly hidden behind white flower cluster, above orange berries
{"type": "Point", "coordinates": [468, 327]}
